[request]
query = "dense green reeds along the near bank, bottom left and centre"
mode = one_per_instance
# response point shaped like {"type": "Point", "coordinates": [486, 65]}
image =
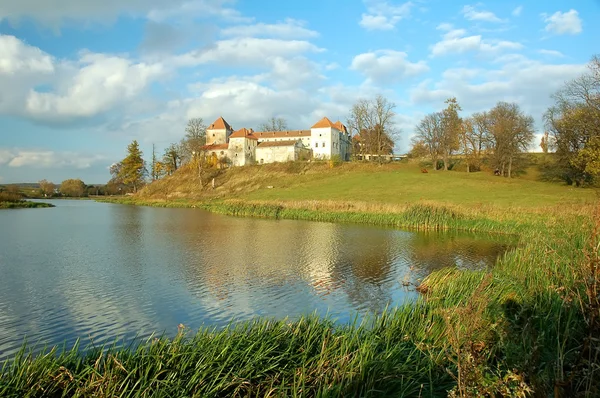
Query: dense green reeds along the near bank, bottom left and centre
{"type": "Point", "coordinates": [388, 356]}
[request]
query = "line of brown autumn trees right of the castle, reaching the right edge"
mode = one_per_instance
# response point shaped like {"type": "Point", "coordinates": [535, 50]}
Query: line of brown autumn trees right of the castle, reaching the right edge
{"type": "Point", "coordinates": [499, 136]}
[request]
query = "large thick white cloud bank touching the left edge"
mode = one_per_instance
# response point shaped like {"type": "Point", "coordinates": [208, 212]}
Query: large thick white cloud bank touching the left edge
{"type": "Point", "coordinates": [38, 86]}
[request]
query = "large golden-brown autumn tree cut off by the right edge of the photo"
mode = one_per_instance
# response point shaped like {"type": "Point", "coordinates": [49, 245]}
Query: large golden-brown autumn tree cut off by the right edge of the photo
{"type": "Point", "coordinates": [574, 125]}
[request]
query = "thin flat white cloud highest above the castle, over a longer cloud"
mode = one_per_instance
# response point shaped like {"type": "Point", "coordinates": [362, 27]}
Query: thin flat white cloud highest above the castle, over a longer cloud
{"type": "Point", "coordinates": [289, 29]}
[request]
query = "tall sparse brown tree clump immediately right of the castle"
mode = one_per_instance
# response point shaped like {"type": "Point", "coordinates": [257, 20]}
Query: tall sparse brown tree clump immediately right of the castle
{"type": "Point", "coordinates": [373, 121]}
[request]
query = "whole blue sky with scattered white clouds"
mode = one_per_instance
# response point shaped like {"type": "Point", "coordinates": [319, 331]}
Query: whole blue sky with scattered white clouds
{"type": "Point", "coordinates": [80, 79]}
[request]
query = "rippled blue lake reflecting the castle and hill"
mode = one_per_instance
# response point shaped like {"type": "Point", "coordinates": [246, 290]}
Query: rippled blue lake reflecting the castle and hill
{"type": "Point", "coordinates": [100, 271]}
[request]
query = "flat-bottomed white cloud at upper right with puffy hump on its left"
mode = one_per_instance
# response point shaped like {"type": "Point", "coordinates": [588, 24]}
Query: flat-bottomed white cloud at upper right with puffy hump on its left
{"type": "Point", "coordinates": [455, 42]}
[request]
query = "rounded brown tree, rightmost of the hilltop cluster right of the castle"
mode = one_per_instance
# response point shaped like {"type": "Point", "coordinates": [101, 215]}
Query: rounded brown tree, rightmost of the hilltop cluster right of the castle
{"type": "Point", "coordinates": [510, 133]}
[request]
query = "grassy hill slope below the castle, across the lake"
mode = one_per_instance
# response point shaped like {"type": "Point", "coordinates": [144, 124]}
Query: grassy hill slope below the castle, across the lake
{"type": "Point", "coordinates": [396, 184]}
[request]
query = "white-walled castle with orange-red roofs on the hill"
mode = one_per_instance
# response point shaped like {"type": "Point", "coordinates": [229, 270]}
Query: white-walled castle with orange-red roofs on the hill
{"type": "Point", "coordinates": [324, 140]}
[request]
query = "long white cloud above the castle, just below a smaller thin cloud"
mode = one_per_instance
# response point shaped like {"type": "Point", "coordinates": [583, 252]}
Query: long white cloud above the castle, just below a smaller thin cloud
{"type": "Point", "coordinates": [246, 51]}
